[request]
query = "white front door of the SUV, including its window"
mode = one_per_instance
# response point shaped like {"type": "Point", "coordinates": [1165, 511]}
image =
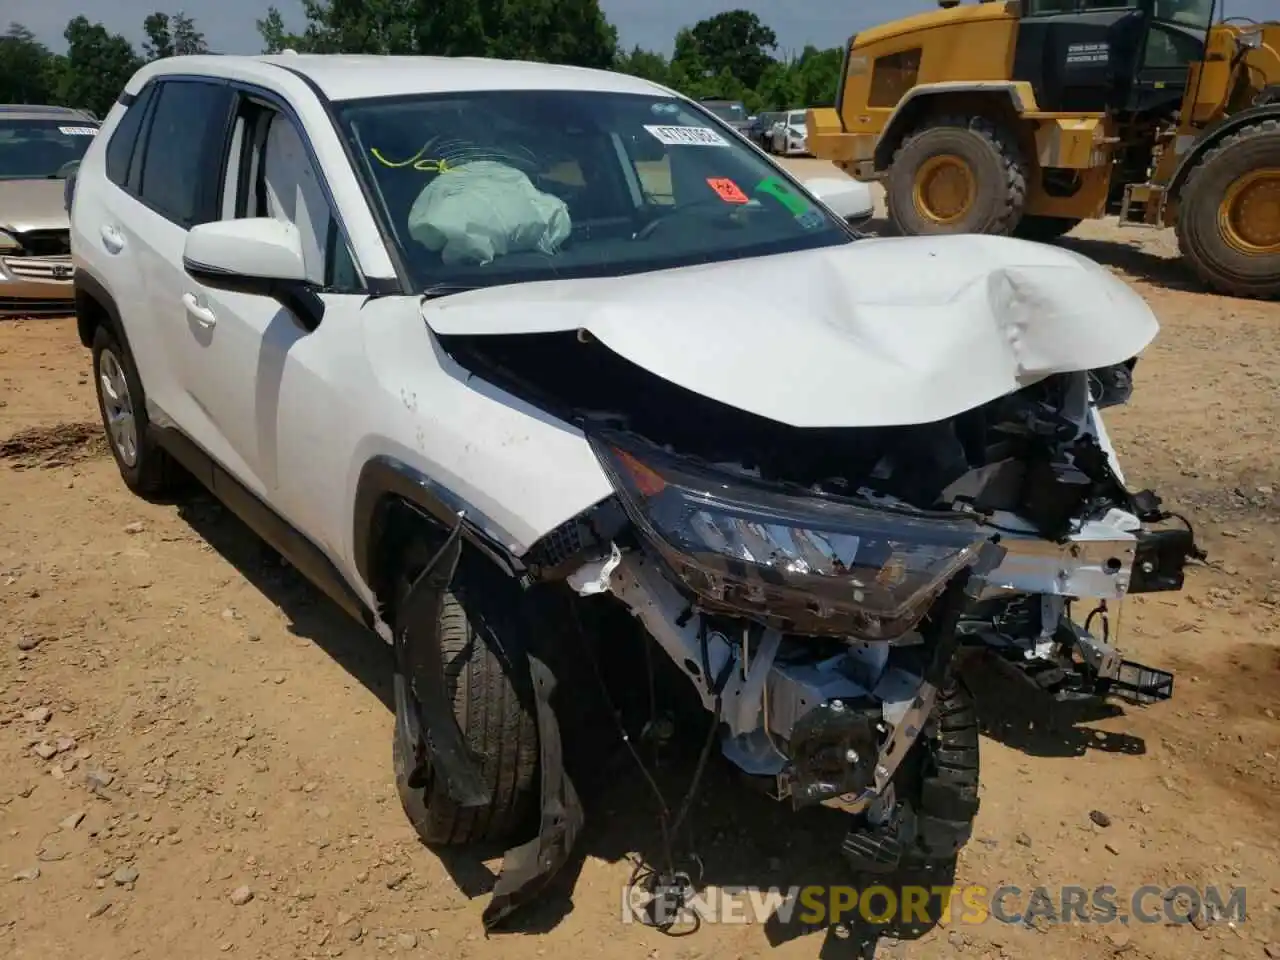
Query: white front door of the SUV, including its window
{"type": "Point", "coordinates": [264, 380]}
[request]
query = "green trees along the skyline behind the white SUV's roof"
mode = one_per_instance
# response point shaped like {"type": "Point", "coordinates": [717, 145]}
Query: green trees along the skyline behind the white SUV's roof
{"type": "Point", "coordinates": [730, 56]}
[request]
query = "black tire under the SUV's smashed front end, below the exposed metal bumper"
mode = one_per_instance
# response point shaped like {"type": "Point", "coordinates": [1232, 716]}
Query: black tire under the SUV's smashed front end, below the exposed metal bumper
{"type": "Point", "coordinates": [947, 802]}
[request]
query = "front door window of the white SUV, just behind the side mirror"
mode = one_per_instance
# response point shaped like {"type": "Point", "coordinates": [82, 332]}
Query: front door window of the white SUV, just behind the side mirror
{"type": "Point", "coordinates": [272, 173]}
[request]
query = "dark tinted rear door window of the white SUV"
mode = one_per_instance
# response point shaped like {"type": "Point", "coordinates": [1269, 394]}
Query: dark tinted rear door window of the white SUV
{"type": "Point", "coordinates": [188, 131]}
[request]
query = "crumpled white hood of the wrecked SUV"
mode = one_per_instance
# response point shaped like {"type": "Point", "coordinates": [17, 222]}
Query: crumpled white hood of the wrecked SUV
{"type": "Point", "coordinates": [874, 333]}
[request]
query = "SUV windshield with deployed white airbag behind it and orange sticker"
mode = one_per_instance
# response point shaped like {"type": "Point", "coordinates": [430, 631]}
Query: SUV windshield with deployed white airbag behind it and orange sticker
{"type": "Point", "coordinates": [495, 188]}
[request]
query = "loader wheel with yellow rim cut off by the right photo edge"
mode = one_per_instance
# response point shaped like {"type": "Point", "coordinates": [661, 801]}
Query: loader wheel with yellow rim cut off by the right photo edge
{"type": "Point", "coordinates": [1241, 259]}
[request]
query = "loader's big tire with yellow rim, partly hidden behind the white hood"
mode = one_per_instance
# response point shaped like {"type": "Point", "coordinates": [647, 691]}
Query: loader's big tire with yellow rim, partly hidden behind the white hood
{"type": "Point", "coordinates": [975, 154]}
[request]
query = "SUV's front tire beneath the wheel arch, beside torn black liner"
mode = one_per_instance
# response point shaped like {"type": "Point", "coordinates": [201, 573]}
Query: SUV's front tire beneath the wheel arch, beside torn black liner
{"type": "Point", "coordinates": [481, 627]}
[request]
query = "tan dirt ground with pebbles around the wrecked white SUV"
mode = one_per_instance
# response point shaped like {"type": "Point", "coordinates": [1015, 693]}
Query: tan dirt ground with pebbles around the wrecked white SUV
{"type": "Point", "coordinates": [182, 720]}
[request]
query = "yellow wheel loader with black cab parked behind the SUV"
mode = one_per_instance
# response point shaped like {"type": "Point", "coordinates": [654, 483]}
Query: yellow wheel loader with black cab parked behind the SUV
{"type": "Point", "coordinates": [1027, 118]}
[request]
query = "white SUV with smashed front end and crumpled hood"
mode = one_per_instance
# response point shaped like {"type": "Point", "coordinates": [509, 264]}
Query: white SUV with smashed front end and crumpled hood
{"type": "Point", "coordinates": [458, 335]}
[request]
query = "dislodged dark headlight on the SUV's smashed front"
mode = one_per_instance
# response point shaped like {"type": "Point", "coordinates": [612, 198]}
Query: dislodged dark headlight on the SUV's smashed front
{"type": "Point", "coordinates": [808, 563]}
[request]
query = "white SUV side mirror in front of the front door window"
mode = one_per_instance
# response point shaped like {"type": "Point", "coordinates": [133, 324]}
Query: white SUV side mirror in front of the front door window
{"type": "Point", "coordinates": [260, 257]}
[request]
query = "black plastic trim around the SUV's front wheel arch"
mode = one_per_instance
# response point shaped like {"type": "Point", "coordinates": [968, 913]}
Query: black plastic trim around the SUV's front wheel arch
{"type": "Point", "coordinates": [386, 481]}
